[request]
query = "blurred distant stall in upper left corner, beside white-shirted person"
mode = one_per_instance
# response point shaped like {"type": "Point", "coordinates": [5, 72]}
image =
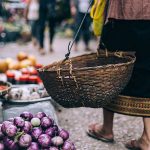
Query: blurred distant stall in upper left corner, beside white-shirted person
{"type": "Point", "coordinates": [12, 24]}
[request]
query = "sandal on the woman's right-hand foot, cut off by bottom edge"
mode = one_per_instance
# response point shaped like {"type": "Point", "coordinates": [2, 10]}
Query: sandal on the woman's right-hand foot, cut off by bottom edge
{"type": "Point", "coordinates": [133, 145]}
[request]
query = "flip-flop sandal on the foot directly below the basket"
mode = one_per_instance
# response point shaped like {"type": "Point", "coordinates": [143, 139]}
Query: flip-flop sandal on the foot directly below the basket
{"type": "Point", "coordinates": [94, 133]}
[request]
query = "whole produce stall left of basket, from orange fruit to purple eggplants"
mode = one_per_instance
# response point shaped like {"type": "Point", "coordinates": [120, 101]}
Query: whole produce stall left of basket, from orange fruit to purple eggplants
{"type": "Point", "coordinates": [24, 123]}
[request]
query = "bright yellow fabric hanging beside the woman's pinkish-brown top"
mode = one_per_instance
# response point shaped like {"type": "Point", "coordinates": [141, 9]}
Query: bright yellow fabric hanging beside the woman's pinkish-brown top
{"type": "Point", "coordinates": [97, 14]}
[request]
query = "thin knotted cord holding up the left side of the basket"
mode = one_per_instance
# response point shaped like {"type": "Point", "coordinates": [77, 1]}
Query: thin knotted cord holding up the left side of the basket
{"type": "Point", "coordinates": [71, 43]}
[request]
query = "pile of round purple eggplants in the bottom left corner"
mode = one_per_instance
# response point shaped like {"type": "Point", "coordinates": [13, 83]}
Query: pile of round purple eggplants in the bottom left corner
{"type": "Point", "coordinates": [33, 132]}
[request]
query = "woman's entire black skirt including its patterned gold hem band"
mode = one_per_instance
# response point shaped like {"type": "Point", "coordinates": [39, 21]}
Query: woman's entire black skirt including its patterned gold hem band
{"type": "Point", "coordinates": [131, 36]}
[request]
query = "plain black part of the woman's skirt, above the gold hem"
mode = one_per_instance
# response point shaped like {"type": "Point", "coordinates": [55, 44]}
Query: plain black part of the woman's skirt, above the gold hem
{"type": "Point", "coordinates": [132, 36]}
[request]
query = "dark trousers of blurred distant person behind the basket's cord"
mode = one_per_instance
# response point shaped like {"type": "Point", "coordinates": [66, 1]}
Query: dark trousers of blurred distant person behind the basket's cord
{"type": "Point", "coordinates": [85, 31]}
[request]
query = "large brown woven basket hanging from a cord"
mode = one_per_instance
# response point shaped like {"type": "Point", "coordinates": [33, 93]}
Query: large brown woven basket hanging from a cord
{"type": "Point", "coordinates": [88, 80]}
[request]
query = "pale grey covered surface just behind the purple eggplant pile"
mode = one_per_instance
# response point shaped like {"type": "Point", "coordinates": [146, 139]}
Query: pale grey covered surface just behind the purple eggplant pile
{"type": "Point", "coordinates": [8, 110]}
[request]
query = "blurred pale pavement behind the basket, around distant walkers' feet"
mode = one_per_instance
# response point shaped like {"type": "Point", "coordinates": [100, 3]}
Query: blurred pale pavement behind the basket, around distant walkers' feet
{"type": "Point", "coordinates": [60, 49]}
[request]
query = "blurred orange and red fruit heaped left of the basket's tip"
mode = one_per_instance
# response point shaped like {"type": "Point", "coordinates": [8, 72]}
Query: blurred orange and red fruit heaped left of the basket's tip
{"type": "Point", "coordinates": [21, 70]}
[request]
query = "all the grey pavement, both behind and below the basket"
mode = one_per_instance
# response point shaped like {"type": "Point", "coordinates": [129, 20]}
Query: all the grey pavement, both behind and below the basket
{"type": "Point", "coordinates": [76, 120]}
